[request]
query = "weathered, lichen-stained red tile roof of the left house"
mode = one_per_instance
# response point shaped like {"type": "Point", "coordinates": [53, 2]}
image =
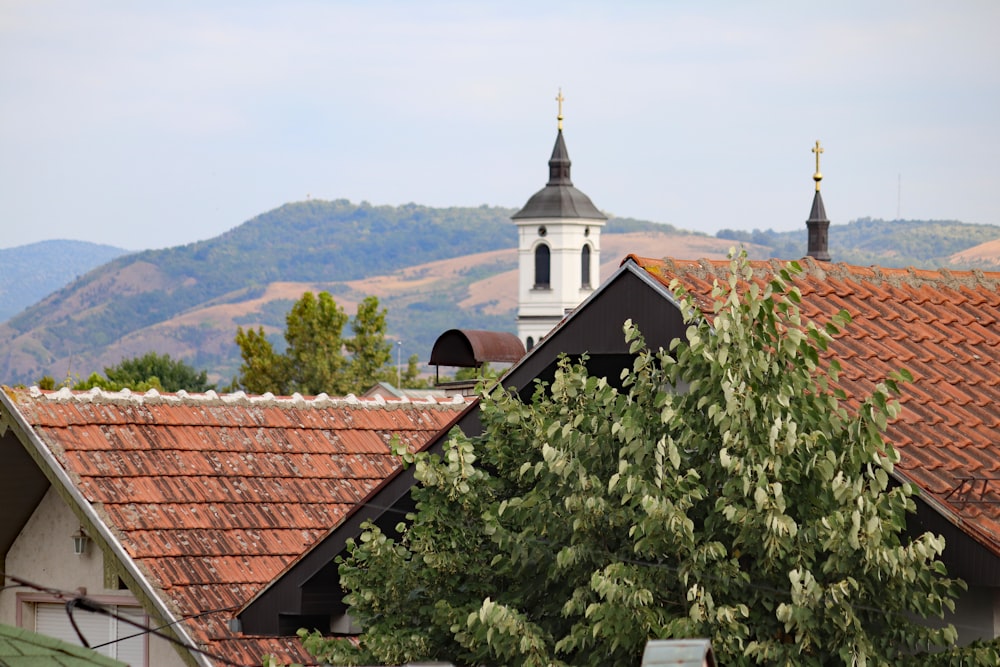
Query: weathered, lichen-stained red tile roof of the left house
{"type": "Point", "coordinates": [214, 496]}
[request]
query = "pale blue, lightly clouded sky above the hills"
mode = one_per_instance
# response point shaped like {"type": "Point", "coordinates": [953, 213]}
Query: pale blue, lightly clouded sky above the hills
{"type": "Point", "coordinates": [154, 124]}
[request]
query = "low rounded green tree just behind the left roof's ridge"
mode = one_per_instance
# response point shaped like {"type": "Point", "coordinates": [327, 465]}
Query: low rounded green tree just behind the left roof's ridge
{"type": "Point", "coordinates": [150, 371]}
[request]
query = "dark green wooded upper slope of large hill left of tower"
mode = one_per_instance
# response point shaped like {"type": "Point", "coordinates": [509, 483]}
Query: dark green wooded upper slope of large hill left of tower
{"type": "Point", "coordinates": [308, 241]}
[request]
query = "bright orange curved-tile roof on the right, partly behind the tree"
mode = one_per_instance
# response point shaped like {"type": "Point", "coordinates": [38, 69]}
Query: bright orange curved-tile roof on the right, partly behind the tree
{"type": "Point", "coordinates": [943, 327]}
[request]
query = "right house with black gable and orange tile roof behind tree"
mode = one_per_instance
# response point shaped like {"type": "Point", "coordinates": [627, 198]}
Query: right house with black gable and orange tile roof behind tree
{"type": "Point", "coordinates": [944, 327]}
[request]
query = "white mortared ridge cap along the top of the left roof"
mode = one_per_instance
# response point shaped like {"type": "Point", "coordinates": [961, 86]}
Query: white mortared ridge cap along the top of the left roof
{"type": "Point", "coordinates": [211, 398]}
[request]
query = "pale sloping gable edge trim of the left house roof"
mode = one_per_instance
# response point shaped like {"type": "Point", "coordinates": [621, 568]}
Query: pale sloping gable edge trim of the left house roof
{"type": "Point", "coordinates": [56, 473]}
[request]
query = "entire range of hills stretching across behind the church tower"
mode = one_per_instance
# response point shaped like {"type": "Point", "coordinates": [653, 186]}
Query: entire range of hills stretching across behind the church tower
{"type": "Point", "coordinates": [433, 268]}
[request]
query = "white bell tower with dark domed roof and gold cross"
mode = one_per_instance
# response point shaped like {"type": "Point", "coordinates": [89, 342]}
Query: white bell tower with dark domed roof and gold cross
{"type": "Point", "coordinates": [558, 248]}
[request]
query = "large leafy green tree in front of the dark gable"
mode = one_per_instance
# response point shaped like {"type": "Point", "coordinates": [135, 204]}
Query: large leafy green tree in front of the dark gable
{"type": "Point", "coordinates": [752, 508]}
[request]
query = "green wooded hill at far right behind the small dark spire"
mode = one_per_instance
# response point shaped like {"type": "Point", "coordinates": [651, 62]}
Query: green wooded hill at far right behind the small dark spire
{"type": "Point", "coordinates": [927, 244]}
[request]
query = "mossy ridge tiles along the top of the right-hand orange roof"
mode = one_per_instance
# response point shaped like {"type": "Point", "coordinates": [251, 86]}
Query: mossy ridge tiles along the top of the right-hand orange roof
{"type": "Point", "coordinates": [822, 270]}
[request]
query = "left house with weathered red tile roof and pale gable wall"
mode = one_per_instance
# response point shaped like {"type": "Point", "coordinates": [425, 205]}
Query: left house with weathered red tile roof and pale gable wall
{"type": "Point", "coordinates": [190, 505]}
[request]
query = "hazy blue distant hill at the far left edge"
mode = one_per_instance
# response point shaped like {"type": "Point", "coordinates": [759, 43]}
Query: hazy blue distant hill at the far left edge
{"type": "Point", "coordinates": [30, 272]}
